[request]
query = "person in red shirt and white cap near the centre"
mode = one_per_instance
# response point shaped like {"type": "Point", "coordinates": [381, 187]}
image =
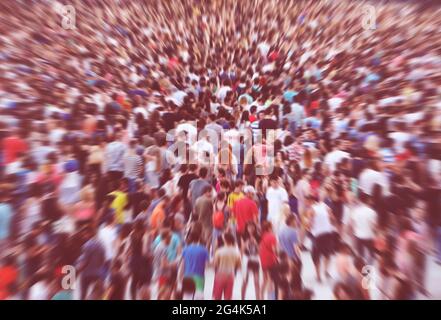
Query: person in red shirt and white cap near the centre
{"type": "Point", "coordinates": [245, 210]}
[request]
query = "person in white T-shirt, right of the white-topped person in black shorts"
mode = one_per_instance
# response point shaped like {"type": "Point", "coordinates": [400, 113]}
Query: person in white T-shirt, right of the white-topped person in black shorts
{"type": "Point", "coordinates": [363, 221]}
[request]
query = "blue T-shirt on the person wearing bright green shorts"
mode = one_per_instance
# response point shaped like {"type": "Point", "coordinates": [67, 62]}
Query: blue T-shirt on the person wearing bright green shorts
{"type": "Point", "coordinates": [195, 257]}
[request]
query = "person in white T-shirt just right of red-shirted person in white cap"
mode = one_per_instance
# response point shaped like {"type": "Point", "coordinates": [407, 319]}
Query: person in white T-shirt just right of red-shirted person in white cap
{"type": "Point", "coordinates": [276, 196]}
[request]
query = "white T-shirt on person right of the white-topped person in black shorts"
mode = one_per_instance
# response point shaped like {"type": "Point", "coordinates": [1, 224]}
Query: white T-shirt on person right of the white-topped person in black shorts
{"type": "Point", "coordinates": [363, 220]}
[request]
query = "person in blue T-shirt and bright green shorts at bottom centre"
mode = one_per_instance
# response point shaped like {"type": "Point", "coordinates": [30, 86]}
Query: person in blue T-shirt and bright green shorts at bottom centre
{"type": "Point", "coordinates": [194, 260]}
